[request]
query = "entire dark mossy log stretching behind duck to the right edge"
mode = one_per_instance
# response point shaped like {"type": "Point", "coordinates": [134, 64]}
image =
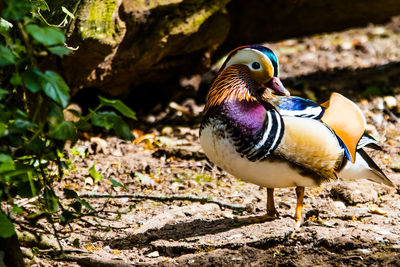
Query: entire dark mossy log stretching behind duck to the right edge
{"type": "Point", "coordinates": [150, 49]}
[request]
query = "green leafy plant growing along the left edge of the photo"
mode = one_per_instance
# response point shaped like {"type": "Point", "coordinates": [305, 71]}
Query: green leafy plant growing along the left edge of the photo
{"type": "Point", "coordinates": [33, 127]}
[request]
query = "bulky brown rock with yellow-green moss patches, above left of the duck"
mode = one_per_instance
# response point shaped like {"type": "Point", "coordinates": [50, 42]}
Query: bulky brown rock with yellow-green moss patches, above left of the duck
{"type": "Point", "coordinates": [125, 44]}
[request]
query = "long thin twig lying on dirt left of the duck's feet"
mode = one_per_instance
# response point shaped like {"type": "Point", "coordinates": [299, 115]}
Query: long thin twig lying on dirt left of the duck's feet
{"type": "Point", "coordinates": [169, 198]}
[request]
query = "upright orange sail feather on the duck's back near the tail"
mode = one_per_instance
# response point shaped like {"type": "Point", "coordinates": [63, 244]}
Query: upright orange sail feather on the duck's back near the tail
{"type": "Point", "coordinates": [346, 119]}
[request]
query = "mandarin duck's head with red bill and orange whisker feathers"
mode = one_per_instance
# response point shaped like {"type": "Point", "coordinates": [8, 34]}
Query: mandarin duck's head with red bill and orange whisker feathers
{"type": "Point", "coordinates": [248, 73]}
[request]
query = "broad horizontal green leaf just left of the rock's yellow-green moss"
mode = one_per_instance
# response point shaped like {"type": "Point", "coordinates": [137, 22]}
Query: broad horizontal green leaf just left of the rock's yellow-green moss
{"type": "Point", "coordinates": [46, 35]}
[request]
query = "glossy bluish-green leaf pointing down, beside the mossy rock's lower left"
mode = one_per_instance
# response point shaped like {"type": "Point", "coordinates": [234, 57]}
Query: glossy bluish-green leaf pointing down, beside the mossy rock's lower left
{"type": "Point", "coordinates": [55, 87]}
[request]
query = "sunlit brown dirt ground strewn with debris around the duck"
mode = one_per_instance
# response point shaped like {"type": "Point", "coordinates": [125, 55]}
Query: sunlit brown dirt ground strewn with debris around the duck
{"type": "Point", "coordinates": [345, 223]}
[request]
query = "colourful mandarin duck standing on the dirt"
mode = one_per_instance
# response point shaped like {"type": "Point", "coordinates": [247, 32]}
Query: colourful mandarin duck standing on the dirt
{"type": "Point", "coordinates": [254, 130]}
